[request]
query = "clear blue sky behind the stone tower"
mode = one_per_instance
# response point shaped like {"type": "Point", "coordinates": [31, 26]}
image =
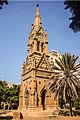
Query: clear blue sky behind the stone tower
{"type": "Point", "coordinates": [15, 24]}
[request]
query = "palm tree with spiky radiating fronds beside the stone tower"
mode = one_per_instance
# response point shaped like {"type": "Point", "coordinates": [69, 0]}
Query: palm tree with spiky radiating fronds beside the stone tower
{"type": "Point", "coordinates": [65, 79]}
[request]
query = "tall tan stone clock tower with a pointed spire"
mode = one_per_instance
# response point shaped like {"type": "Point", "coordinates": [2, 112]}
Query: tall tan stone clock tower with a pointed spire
{"type": "Point", "coordinates": [36, 71]}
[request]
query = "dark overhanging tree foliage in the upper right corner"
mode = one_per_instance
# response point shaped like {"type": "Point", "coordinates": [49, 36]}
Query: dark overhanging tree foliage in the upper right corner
{"type": "Point", "coordinates": [74, 7]}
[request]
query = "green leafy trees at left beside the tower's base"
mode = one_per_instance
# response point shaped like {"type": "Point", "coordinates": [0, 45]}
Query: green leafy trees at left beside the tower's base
{"type": "Point", "coordinates": [7, 94]}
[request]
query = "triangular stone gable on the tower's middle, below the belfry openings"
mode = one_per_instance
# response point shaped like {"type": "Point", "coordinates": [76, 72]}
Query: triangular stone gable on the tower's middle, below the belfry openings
{"type": "Point", "coordinates": [43, 63]}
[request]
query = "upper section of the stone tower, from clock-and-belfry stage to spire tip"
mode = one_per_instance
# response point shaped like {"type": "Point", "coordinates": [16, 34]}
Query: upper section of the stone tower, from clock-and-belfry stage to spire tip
{"type": "Point", "coordinates": [37, 40]}
